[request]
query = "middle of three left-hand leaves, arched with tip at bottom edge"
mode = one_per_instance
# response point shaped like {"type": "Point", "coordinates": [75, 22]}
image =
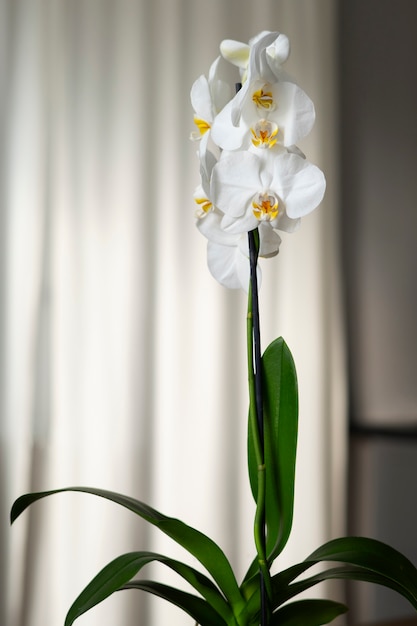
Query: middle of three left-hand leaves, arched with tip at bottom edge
{"type": "Point", "coordinates": [122, 569]}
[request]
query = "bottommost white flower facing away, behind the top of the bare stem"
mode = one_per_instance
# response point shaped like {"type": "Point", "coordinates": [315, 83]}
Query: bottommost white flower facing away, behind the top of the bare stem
{"type": "Point", "coordinates": [228, 254]}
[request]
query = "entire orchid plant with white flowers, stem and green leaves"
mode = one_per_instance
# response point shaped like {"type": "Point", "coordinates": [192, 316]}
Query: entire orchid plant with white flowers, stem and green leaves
{"type": "Point", "coordinates": [254, 183]}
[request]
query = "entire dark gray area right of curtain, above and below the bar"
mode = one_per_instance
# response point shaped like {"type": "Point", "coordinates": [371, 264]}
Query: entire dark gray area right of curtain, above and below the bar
{"type": "Point", "coordinates": [379, 236]}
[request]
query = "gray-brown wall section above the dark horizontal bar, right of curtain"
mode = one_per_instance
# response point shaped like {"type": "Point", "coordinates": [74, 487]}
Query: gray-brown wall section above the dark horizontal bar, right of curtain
{"type": "Point", "coordinates": [379, 122]}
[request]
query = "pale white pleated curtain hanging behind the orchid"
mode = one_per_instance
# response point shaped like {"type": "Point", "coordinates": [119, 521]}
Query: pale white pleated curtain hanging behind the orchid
{"type": "Point", "coordinates": [122, 361]}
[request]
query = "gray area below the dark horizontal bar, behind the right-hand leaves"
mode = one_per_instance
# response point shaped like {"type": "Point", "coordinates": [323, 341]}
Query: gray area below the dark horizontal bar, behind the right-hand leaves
{"type": "Point", "coordinates": [383, 506]}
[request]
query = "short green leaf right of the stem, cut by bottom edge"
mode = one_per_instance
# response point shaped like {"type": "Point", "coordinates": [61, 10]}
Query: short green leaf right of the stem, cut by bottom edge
{"type": "Point", "coordinates": [308, 613]}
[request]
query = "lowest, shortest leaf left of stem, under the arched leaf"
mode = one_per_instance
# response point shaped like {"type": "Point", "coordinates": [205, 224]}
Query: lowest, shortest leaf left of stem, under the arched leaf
{"type": "Point", "coordinates": [199, 609]}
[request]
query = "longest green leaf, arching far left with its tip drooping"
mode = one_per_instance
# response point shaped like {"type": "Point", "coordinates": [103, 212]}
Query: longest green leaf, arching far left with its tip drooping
{"type": "Point", "coordinates": [196, 543]}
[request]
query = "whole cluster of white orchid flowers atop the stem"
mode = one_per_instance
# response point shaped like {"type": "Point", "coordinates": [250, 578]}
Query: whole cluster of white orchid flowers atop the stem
{"type": "Point", "coordinates": [253, 175]}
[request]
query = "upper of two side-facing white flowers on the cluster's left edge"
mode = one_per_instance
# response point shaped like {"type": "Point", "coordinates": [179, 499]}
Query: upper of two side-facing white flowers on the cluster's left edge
{"type": "Point", "coordinates": [208, 97]}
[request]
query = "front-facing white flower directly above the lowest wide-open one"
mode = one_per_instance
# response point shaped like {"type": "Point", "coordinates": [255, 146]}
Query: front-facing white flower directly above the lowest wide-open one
{"type": "Point", "coordinates": [282, 108]}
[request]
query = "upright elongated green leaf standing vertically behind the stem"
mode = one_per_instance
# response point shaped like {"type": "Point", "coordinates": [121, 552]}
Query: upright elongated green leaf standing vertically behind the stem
{"type": "Point", "coordinates": [280, 434]}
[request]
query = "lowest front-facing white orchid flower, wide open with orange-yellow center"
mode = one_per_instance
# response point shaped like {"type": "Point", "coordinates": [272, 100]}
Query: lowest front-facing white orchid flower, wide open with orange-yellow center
{"type": "Point", "coordinates": [274, 188]}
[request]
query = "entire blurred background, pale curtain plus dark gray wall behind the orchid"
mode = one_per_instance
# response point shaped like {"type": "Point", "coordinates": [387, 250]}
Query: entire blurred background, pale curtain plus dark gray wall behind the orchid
{"type": "Point", "coordinates": [122, 362]}
